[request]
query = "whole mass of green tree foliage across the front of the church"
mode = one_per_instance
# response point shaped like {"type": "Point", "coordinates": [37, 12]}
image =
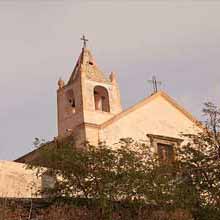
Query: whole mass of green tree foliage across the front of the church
{"type": "Point", "coordinates": [131, 172]}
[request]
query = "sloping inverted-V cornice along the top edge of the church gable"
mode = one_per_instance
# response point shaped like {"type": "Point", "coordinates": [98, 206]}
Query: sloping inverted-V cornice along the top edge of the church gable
{"type": "Point", "coordinates": [146, 101]}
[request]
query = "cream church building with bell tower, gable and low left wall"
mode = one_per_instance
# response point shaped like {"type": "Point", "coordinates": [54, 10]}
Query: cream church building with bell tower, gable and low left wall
{"type": "Point", "coordinates": [89, 109]}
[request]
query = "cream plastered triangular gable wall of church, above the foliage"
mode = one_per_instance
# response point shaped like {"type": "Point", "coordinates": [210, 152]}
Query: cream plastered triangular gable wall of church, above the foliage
{"type": "Point", "coordinates": [158, 114]}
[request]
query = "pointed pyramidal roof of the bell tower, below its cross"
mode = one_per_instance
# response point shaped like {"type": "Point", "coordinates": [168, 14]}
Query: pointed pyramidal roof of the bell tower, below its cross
{"type": "Point", "coordinates": [91, 70]}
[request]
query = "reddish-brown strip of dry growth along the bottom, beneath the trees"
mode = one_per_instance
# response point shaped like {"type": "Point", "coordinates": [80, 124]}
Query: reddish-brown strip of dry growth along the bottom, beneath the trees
{"type": "Point", "coordinates": [79, 210]}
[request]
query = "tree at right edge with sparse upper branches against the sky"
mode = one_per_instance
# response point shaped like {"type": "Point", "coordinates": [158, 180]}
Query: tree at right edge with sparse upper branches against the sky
{"type": "Point", "coordinates": [198, 166]}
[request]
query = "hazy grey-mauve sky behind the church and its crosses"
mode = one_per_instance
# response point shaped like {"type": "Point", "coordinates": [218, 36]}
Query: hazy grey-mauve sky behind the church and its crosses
{"type": "Point", "coordinates": [177, 41]}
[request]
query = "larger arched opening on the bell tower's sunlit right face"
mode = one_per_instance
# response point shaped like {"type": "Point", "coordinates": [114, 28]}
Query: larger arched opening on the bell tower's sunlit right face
{"type": "Point", "coordinates": [101, 99]}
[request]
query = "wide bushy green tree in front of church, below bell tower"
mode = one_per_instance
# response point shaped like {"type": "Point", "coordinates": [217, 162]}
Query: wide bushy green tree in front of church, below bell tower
{"type": "Point", "coordinates": [129, 173]}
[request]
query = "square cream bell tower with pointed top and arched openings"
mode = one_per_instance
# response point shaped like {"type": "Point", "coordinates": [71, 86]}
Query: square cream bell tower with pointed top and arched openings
{"type": "Point", "coordinates": [87, 100]}
